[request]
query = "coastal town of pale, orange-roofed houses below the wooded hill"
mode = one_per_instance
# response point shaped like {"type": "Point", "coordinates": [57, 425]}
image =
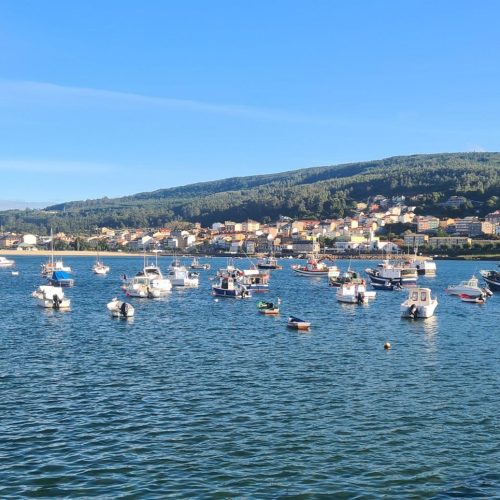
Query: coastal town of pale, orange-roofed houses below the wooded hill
{"type": "Point", "coordinates": [385, 225]}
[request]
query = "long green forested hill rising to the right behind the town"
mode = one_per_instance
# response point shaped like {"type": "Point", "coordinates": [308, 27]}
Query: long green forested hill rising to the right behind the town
{"type": "Point", "coordinates": [313, 192]}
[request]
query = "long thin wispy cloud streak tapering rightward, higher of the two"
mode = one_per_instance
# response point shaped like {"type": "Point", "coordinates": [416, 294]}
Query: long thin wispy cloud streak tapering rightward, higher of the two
{"type": "Point", "coordinates": [29, 91]}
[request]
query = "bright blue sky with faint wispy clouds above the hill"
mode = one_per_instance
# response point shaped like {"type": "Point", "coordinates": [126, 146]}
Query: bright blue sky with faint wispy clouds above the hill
{"type": "Point", "coordinates": [108, 98]}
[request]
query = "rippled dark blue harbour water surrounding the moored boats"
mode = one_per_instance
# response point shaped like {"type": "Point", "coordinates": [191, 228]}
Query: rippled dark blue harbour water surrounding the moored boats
{"type": "Point", "coordinates": [197, 397]}
